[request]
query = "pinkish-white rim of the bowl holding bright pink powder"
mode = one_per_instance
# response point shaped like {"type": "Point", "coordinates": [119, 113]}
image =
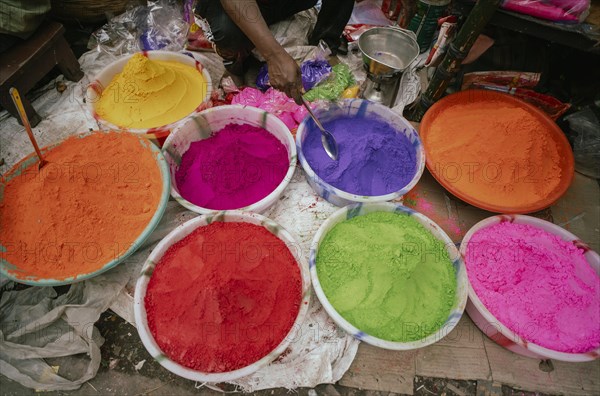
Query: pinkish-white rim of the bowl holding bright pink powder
{"type": "Point", "coordinates": [493, 323]}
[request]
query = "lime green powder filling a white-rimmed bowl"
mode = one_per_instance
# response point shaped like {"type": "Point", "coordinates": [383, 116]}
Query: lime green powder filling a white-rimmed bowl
{"type": "Point", "coordinates": [387, 275]}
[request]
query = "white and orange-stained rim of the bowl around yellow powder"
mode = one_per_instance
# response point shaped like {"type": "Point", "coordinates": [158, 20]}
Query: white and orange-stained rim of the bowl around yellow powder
{"type": "Point", "coordinates": [106, 75]}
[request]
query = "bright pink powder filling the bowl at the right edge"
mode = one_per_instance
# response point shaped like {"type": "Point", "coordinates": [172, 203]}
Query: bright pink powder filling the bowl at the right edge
{"type": "Point", "coordinates": [536, 284]}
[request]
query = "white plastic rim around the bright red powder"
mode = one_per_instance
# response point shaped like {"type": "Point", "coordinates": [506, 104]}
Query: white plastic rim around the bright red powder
{"type": "Point", "coordinates": [178, 234]}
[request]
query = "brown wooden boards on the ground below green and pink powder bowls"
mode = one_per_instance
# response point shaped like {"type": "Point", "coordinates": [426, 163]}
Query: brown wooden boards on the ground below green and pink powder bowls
{"type": "Point", "coordinates": [469, 355]}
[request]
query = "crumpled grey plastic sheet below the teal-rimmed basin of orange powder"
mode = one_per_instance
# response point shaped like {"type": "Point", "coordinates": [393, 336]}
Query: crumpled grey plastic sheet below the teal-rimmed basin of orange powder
{"type": "Point", "coordinates": [36, 324]}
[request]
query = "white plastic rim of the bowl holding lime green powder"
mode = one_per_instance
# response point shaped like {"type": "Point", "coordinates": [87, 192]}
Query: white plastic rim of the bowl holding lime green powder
{"type": "Point", "coordinates": [359, 209]}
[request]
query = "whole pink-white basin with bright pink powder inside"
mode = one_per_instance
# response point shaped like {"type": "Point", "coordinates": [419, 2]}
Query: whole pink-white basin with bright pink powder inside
{"type": "Point", "coordinates": [534, 288]}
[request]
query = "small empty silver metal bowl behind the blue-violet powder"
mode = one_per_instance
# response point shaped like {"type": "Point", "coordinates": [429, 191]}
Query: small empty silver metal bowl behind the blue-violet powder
{"type": "Point", "coordinates": [387, 50]}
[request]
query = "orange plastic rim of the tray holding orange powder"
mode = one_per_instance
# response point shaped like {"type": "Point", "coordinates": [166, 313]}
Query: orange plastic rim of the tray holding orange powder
{"type": "Point", "coordinates": [566, 162]}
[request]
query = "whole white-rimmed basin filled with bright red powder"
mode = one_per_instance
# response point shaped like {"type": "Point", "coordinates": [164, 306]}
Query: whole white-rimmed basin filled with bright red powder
{"type": "Point", "coordinates": [240, 293]}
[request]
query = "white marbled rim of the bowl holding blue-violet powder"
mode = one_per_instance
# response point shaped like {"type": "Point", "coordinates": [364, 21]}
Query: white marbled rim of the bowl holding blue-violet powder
{"type": "Point", "coordinates": [358, 107]}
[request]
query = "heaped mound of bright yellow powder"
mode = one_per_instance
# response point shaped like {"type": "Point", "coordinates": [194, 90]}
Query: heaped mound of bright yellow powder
{"type": "Point", "coordinates": [151, 93]}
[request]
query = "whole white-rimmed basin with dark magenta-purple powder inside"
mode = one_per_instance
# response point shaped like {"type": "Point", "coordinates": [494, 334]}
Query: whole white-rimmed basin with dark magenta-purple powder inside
{"type": "Point", "coordinates": [238, 170]}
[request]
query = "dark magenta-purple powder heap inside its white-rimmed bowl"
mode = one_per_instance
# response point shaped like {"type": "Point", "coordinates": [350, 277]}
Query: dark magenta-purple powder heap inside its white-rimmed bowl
{"type": "Point", "coordinates": [236, 167]}
